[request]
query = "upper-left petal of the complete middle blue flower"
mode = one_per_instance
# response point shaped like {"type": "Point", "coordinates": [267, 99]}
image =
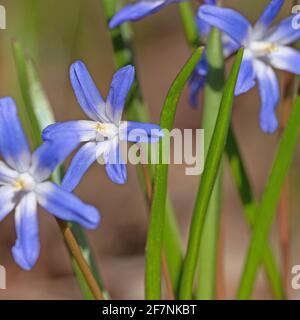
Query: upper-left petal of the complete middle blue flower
{"type": "Point", "coordinates": [87, 94]}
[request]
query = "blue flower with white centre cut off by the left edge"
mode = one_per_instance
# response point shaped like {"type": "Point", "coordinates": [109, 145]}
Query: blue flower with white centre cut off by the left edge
{"type": "Point", "coordinates": [24, 184]}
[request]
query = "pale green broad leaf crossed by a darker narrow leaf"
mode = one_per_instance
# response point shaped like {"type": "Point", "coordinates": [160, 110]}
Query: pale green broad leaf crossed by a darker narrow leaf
{"type": "Point", "coordinates": [210, 238]}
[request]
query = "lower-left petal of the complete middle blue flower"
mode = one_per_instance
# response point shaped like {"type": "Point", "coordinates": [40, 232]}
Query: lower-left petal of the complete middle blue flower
{"type": "Point", "coordinates": [83, 159]}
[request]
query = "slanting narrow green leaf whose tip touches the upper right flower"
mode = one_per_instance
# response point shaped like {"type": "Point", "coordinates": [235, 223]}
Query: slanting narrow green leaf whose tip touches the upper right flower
{"type": "Point", "coordinates": [211, 169]}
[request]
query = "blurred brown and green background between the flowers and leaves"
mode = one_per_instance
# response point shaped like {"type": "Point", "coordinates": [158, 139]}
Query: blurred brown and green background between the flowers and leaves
{"type": "Point", "coordinates": [58, 32]}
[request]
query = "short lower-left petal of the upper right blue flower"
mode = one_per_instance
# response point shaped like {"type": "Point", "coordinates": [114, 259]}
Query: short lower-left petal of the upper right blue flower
{"type": "Point", "coordinates": [246, 78]}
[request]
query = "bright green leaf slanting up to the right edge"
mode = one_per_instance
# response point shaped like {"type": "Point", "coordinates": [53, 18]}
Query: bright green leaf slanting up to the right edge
{"type": "Point", "coordinates": [267, 208]}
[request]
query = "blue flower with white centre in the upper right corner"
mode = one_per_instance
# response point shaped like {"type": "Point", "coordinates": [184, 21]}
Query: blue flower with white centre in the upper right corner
{"type": "Point", "coordinates": [265, 47]}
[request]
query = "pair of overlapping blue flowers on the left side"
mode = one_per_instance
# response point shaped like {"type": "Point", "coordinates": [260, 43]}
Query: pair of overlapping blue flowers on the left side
{"type": "Point", "coordinates": [24, 177]}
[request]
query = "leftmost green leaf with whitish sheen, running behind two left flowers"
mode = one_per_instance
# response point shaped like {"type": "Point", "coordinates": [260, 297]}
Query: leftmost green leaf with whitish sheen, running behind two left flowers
{"type": "Point", "coordinates": [37, 114]}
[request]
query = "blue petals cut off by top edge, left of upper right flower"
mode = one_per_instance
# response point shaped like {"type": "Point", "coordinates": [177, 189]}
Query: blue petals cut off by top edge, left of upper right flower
{"type": "Point", "coordinates": [139, 10]}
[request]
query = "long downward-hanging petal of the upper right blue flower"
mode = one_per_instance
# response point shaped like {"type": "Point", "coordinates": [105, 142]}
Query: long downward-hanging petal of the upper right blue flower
{"type": "Point", "coordinates": [269, 93]}
